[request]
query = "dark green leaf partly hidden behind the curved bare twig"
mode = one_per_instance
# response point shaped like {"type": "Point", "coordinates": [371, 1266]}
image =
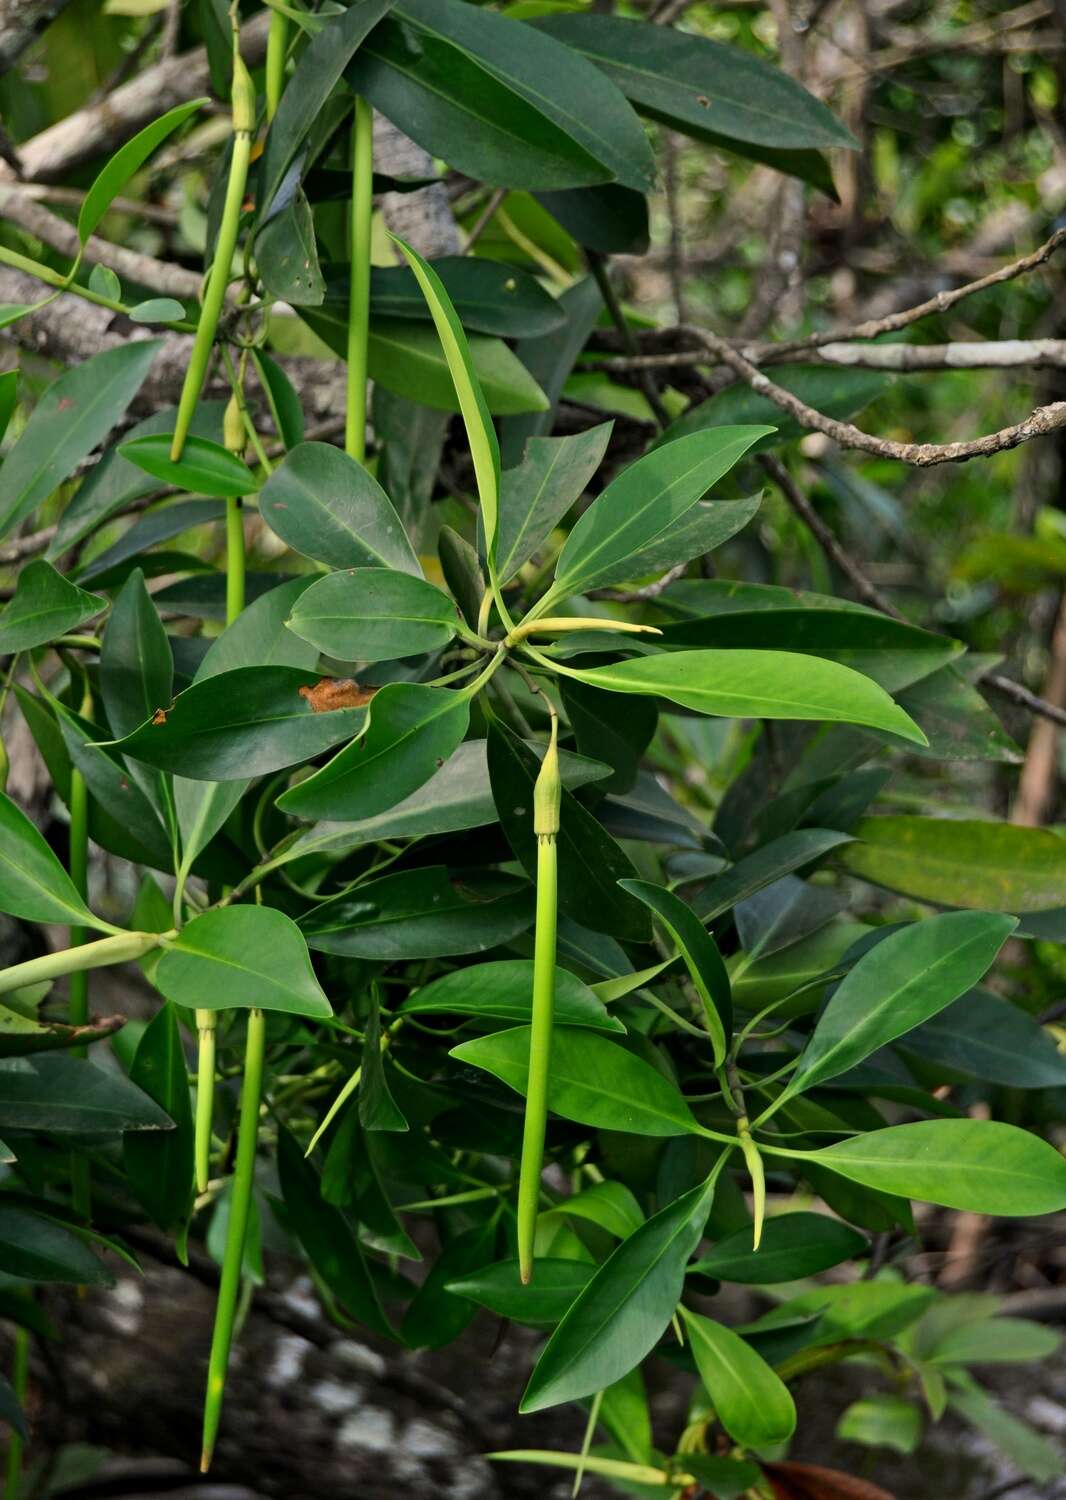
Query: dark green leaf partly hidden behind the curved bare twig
{"type": "Point", "coordinates": [836, 392]}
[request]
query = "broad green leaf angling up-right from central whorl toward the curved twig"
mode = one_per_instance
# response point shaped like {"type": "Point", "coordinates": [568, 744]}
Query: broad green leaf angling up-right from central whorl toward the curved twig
{"type": "Point", "coordinates": [642, 503]}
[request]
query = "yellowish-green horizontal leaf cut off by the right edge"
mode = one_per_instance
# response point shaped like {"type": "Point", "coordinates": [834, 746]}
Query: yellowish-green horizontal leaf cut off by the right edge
{"type": "Point", "coordinates": [951, 862]}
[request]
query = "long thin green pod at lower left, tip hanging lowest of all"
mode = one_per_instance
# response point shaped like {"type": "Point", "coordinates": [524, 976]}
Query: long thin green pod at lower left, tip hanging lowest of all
{"type": "Point", "coordinates": [241, 1207]}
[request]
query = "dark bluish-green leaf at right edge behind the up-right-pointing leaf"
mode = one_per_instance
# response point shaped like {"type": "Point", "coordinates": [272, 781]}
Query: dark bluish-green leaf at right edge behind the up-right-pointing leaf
{"type": "Point", "coordinates": [987, 1037]}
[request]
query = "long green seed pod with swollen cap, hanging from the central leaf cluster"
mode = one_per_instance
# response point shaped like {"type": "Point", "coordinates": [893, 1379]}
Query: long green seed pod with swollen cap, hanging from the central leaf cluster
{"type": "Point", "coordinates": [548, 796]}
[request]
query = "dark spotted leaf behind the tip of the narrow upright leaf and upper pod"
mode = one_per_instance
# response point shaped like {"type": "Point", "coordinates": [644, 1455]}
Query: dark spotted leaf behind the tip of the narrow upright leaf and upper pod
{"type": "Point", "coordinates": [488, 296]}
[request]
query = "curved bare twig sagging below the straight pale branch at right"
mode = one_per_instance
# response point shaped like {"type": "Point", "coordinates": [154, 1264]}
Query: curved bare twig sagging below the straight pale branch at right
{"type": "Point", "coordinates": [923, 455]}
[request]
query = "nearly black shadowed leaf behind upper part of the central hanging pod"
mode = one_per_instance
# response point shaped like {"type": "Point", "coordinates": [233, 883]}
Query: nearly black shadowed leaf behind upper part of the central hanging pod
{"type": "Point", "coordinates": [590, 862]}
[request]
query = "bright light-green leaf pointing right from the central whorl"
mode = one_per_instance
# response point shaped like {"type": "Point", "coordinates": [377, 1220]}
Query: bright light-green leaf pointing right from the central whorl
{"type": "Point", "coordinates": [758, 685]}
